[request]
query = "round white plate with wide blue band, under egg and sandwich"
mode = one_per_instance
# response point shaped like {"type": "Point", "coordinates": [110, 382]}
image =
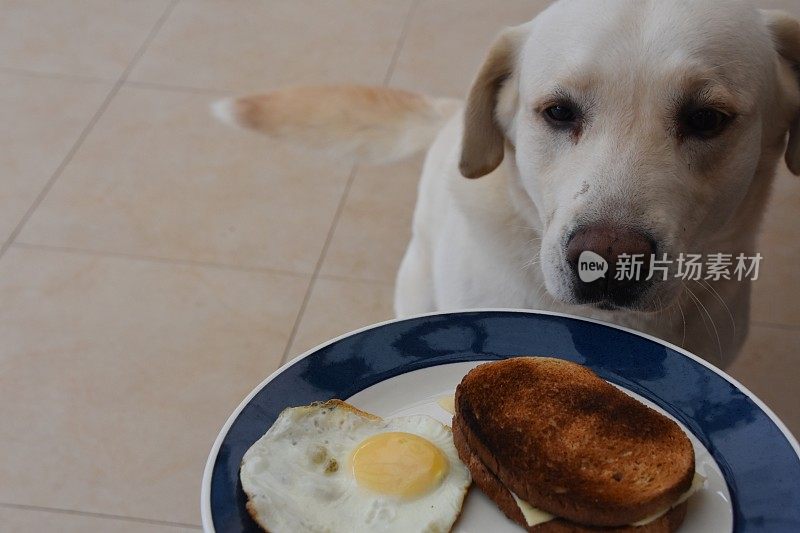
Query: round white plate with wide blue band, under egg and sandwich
{"type": "Point", "coordinates": [750, 460]}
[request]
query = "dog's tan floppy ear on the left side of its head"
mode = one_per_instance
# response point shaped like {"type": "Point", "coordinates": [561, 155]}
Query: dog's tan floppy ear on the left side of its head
{"type": "Point", "coordinates": [483, 142]}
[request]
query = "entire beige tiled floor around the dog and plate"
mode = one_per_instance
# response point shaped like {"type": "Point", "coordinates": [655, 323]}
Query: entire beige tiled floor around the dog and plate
{"type": "Point", "coordinates": [155, 265]}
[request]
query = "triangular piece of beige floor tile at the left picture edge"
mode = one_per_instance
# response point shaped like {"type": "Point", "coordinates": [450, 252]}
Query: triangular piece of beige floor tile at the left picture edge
{"type": "Point", "coordinates": [41, 120]}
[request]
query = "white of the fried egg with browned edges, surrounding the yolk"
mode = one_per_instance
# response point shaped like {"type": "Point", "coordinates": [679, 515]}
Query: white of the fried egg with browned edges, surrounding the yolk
{"type": "Point", "coordinates": [298, 478]}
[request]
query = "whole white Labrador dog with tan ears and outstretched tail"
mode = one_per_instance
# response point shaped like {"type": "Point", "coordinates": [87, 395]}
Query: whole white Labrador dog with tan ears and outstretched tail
{"type": "Point", "coordinates": [620, 127]}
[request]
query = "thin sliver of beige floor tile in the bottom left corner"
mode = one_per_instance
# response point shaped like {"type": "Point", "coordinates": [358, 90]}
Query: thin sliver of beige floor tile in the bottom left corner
{"type": "Point", "coordinates": [30, 521]}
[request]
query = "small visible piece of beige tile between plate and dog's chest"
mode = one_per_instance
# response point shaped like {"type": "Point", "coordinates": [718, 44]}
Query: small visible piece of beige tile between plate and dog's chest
{"type": "Point", "coordinates": [337, 307]}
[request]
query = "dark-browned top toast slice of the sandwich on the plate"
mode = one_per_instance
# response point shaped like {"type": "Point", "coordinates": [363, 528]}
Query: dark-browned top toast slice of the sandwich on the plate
{"type": "Point", "coordinates": [571, 444]}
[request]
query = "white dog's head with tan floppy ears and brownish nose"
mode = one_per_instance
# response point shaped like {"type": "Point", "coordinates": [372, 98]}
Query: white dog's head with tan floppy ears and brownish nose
{"type": "Point", "coordinates": [635, 128]}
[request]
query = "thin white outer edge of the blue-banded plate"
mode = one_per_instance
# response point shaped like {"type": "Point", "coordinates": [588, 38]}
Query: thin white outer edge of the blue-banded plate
{"type": "Point", "coordinates": [207, 522]}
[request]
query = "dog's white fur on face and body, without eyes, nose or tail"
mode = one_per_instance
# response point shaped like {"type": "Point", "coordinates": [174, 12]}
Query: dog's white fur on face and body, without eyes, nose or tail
{"type": "Point", "coordinates": [498, 241]}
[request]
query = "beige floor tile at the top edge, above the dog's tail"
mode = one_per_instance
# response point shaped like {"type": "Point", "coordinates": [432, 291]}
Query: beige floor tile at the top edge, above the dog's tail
{"type": "Point", "coordinates": [252, 45]}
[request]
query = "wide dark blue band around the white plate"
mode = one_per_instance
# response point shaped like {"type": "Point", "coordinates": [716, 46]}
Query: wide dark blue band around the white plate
{"type": "Point", "coordinates": [760, 466]}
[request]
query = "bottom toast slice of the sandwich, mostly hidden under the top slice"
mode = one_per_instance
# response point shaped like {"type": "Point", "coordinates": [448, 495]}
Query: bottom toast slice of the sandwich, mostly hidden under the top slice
{"type": "Point", "coordinates": [495, 490]}
